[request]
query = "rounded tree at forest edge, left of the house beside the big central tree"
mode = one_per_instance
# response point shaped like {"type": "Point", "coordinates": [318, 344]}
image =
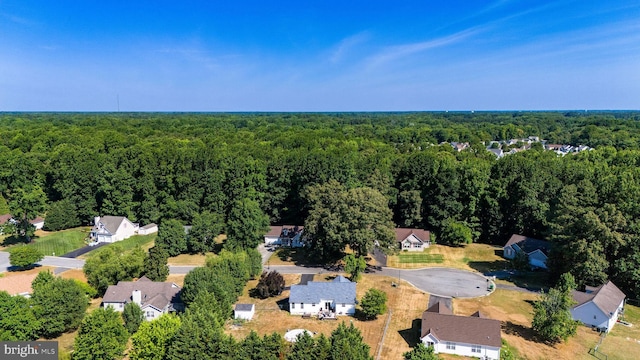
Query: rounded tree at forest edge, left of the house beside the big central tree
{"type": "Point", "coordinates": [246, 225]}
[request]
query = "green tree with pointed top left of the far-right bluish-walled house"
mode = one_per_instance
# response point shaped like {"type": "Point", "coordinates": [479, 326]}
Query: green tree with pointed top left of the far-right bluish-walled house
{"type": "Point", "coordinates": [552, 319]}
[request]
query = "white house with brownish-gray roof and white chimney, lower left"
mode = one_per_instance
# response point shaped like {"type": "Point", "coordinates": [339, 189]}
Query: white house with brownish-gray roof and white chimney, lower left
{"type": "Point", "coordinates": [154, 298]}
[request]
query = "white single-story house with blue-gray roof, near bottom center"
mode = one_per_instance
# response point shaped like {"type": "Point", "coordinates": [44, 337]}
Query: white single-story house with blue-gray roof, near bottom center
{"type": "Point", "coordinates": [337, 297]}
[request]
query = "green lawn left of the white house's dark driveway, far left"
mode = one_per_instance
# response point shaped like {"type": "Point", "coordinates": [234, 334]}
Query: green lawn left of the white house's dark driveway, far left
{"type": "Point", "coordinates": [59, 242]}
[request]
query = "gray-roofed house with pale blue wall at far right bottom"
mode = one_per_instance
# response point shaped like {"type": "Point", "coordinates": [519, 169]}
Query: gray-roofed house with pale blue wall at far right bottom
{"type": "Point", "coordinates": [599, 306]}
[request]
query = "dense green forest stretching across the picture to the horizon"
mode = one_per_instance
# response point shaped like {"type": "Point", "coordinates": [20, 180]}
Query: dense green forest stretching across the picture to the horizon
{"type": "Point", "coordinates": [156, 167]}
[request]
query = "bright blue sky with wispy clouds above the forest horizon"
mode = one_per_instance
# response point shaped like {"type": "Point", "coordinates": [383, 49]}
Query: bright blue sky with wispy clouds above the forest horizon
{"type": "Point", "coordinates": [322, 55]}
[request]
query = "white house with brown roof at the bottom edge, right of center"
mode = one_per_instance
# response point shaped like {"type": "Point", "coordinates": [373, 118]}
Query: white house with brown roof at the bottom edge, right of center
{"type": "Point", "coordinates": [473, 336]}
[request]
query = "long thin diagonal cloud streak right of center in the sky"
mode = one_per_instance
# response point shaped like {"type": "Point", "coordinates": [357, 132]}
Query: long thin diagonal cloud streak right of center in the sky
{"type": "Point", "coordinates": [393, 53]}
